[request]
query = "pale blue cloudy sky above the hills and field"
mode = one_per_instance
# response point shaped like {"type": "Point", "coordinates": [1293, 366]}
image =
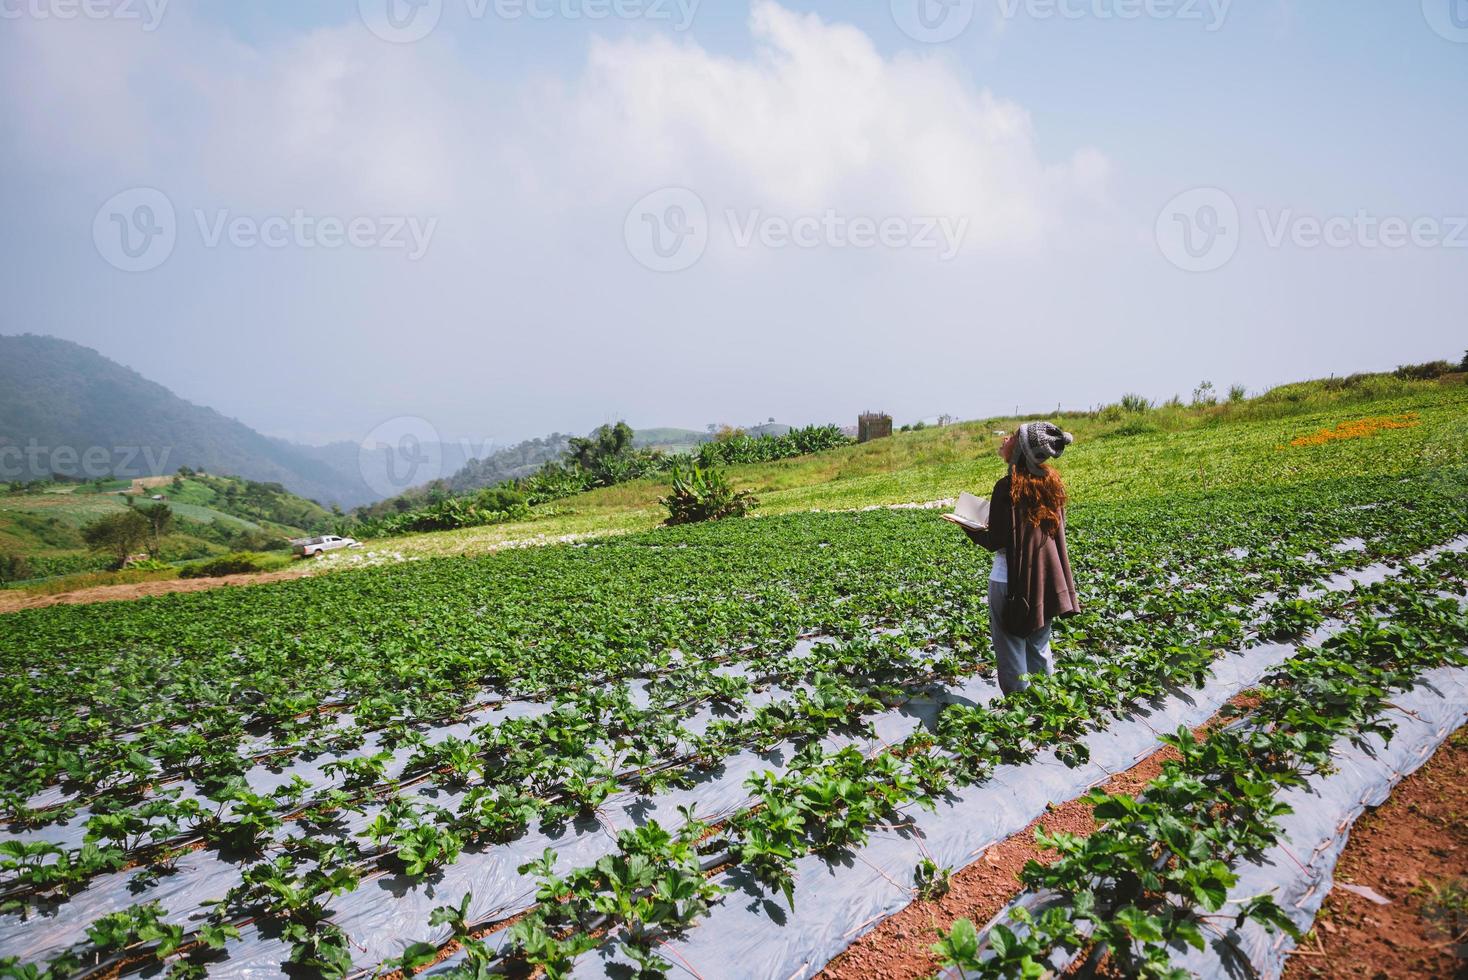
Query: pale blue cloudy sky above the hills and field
{"type": "Point", "coordinates": [523, 149]}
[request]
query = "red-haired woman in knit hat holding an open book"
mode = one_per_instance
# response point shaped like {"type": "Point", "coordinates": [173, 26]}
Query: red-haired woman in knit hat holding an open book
{"type": "Point", "coordinates": [1031, 583]}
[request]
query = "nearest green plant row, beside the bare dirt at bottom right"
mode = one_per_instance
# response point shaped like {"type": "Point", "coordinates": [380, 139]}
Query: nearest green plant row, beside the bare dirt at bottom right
{"type": "Point", "coordinates": [1156, 875]}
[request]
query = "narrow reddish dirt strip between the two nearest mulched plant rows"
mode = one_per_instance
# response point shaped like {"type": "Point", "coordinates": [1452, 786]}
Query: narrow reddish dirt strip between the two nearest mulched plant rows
{"type": "Point", "coordinates": [899, 947]}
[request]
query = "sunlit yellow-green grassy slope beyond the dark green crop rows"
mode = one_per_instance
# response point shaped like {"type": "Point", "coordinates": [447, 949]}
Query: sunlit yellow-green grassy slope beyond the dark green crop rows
{"type": "Point", "coordinates": [1174, 448]}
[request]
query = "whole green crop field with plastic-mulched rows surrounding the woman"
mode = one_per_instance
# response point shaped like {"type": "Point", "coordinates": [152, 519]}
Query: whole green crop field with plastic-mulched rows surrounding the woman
{"type": "Point", "coordinates": [666, 750]}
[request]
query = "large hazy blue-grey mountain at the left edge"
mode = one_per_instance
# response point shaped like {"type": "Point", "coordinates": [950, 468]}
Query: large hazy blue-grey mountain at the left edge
{"type": "Point", "coordinates": [68, 410]}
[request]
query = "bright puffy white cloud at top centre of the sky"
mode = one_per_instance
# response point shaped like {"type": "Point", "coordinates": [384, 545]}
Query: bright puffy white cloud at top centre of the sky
{"type": "Point", "coordinates": [820, 118]}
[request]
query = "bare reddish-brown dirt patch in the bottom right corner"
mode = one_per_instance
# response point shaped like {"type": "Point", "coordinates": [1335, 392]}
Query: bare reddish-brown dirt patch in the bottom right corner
{"type": "Point", "coordinates": [1406, 850]}
